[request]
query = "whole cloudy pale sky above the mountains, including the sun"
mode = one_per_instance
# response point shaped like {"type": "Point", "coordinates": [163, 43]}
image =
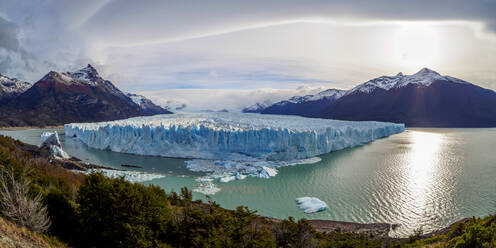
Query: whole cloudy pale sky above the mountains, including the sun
{"type": "Point", "coordinates": [217, 54]}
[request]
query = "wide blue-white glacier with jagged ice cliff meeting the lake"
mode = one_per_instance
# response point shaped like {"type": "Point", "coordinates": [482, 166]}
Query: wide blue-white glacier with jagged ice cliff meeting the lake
{"type": "Point", "coordinates": [229, 136]}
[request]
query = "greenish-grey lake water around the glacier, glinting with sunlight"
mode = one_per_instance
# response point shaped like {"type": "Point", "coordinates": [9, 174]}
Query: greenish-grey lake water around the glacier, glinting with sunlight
{"type": "Point", "coordinates": [425, 178]}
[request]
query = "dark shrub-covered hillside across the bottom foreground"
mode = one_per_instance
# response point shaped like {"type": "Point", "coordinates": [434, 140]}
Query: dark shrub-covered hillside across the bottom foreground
{"type": "Point", "coordinates": [95, 211]}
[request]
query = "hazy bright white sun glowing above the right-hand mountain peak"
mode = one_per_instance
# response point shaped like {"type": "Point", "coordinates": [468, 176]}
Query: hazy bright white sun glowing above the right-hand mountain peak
{"type": "Point", "coordinates": [417, 45]}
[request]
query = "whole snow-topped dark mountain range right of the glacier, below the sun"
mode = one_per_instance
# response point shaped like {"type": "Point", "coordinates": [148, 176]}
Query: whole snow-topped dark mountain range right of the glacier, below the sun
{"type": "Point", "coordinates": [424, 99]}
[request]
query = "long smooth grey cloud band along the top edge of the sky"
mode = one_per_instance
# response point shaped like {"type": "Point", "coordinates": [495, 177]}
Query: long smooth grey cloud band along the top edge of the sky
{"type": "Point", "coordinates": [123, 22]}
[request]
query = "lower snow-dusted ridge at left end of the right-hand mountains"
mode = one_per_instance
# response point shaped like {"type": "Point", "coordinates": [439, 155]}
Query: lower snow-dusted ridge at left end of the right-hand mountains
{"type": "Point", "coordinates": [304, 105]}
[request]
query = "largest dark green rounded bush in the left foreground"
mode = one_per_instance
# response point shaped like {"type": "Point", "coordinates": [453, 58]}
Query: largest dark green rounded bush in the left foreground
{"type": "Point", "coordinates": [117, 213]}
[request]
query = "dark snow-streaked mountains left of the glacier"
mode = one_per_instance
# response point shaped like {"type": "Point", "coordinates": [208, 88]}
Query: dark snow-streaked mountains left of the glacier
{"type": "Point", "coordinates": [59, 98]}
